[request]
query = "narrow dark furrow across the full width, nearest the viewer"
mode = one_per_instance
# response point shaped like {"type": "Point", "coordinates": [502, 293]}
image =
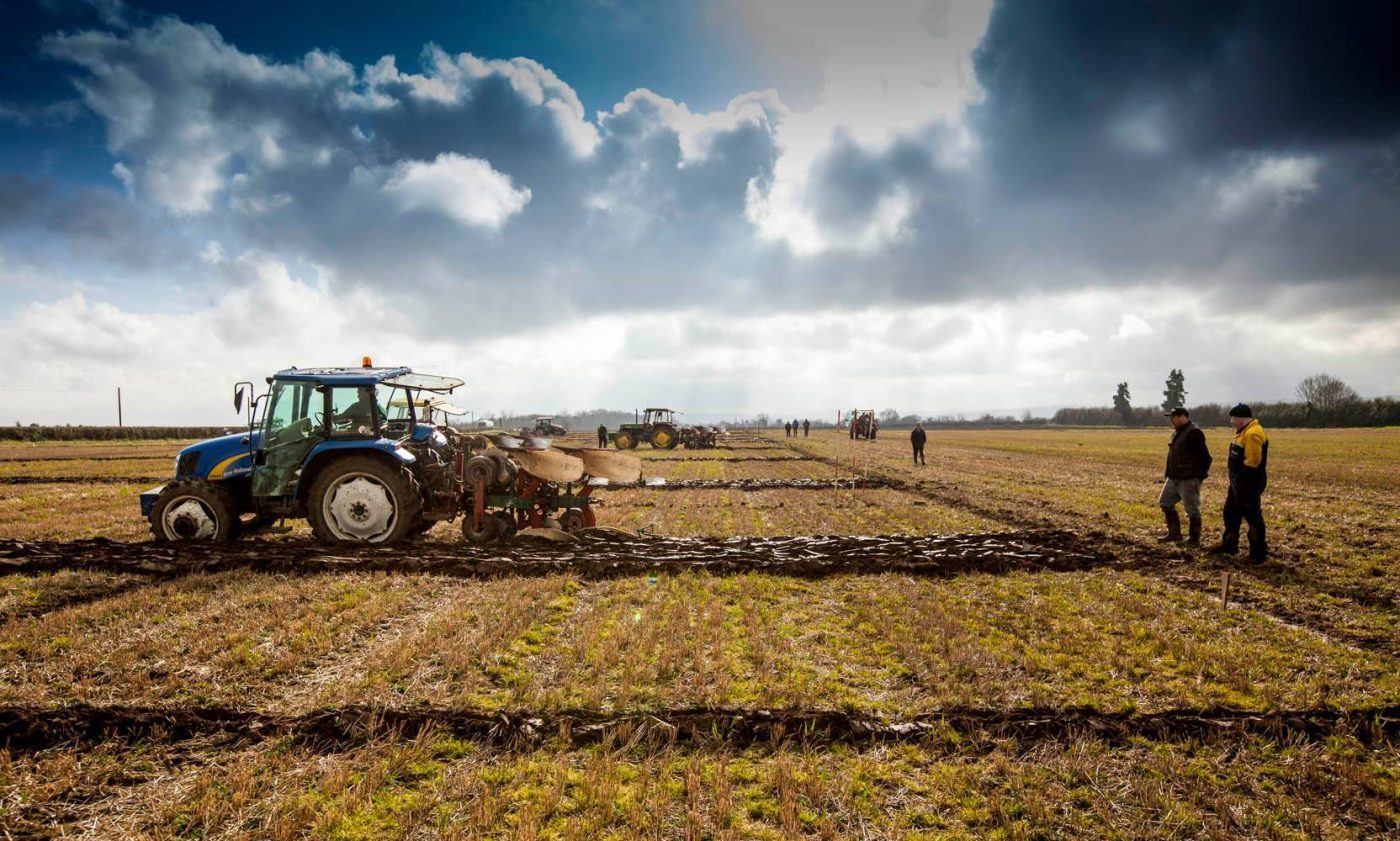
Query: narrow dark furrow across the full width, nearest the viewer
{"type": "Point", "coordinates": [337, 728]}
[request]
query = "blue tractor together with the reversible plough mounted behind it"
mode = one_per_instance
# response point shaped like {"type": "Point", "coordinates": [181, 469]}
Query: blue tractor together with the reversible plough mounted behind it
{"type": "Point", "coordinates": [355, 451]}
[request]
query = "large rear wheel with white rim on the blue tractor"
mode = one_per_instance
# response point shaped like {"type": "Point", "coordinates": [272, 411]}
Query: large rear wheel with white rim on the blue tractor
{"type": "Point", "coordinates": [363, 500]}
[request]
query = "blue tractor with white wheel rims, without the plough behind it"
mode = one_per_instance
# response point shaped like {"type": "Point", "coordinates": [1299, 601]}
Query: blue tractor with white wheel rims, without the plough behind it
{"type": "Point", "coordinates": [346, 448]}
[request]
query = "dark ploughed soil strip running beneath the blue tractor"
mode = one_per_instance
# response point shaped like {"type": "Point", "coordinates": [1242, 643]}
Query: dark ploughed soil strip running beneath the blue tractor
{"type": "Point", "coordinates": [594, 558]}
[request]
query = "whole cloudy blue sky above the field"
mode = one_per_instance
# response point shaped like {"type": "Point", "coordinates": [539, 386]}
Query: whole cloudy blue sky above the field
{"type": "Point", "coordinates": [730, 208]}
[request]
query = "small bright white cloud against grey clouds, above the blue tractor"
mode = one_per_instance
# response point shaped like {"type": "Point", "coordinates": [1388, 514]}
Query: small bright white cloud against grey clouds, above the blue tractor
{"type": "Point", "coordinates": [465, 190]}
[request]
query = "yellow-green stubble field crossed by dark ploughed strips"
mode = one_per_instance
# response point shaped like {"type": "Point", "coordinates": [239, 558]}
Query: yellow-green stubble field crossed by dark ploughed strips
{"type": "Point", "coordinates": [1052, 672]}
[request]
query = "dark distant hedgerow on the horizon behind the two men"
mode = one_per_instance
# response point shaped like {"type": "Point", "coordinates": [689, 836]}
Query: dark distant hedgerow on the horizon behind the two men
{"type": "Point", "coordinates": [1380, 412]}
